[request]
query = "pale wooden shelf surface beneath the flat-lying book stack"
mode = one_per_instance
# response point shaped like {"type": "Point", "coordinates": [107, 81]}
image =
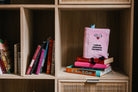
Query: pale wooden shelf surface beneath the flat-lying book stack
{"type": "Point", "coordinates": [115, 75]}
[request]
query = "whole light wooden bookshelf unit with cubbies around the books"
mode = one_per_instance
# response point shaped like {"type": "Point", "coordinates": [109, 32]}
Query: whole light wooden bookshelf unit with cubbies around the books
{"type": "Point", "coordinates": [31, 22]}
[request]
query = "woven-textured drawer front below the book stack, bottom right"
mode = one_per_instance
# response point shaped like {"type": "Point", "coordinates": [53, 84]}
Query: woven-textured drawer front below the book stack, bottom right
{"type": "Point", "coordinates": [93, 87]}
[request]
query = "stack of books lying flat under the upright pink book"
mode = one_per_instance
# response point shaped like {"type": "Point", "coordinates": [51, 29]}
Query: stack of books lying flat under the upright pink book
{"type": "Point", "coordinates": [91, 66]}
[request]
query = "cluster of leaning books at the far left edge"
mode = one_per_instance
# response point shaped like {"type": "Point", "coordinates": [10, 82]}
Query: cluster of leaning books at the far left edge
{"type": "Point", "coordinates": [5, 61]}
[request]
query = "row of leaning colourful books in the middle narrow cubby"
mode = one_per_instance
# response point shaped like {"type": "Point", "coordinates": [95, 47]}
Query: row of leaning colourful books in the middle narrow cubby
{"type": "Point", "coordinates": [43, 59]}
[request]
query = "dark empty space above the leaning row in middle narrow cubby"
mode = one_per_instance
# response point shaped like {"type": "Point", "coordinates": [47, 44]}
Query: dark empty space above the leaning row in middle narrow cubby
{"type": "Point", "coordinates": [41, 26]}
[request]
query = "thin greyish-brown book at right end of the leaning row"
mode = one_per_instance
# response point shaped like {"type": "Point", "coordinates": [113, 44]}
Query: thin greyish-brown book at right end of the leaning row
{"type": "Point", "coordinates": [53, 59]}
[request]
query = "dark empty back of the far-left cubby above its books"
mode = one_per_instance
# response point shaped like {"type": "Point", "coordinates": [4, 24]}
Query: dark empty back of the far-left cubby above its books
{"type": "Point", "coordinates": [10, 29]}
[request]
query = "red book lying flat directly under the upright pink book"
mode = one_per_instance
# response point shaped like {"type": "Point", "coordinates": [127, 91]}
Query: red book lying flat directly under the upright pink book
{"type": "Point", "coordinates": [96, 60]}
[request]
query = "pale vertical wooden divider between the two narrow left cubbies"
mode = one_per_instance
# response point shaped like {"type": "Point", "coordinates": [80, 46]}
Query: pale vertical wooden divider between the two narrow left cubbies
{"type": "Point", "coordinates": [26, 38]}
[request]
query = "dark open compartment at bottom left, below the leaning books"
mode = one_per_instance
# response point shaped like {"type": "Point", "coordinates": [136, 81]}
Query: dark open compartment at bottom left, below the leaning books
{"type": "Point", "coordinates": [26, 85]}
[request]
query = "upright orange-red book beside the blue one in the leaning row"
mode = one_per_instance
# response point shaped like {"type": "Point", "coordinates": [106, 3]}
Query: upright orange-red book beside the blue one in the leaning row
{"type": "Point", "coordinates": [49, 59]}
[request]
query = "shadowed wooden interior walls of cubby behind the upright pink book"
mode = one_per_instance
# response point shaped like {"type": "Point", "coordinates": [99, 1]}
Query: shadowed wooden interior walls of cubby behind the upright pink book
{"type": "Point", "coordinates": [72, 24]}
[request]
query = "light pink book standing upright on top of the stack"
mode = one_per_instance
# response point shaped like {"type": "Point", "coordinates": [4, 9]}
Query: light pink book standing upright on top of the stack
{"type": "Point", "coordinates": [96, 43]}
